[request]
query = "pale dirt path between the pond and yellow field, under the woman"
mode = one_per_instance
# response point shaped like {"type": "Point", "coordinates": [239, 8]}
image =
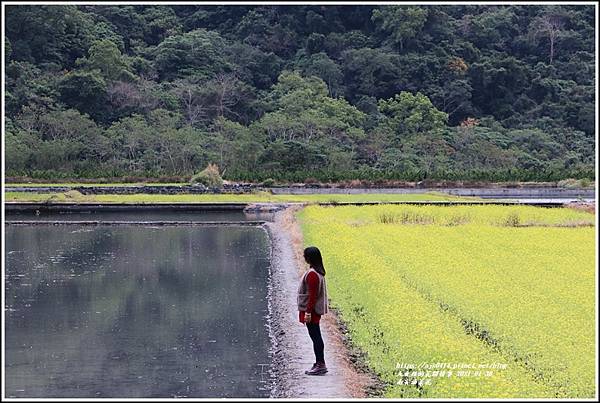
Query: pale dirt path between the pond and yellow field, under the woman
{"type": "Point", "coordinates": [292, 347]}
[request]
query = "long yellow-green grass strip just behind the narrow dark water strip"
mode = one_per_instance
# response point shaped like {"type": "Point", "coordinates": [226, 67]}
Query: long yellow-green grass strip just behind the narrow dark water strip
{"type": "Point", "coordinates": [258, 197]}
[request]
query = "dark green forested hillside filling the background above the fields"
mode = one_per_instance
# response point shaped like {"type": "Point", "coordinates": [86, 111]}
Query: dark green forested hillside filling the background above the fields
{"type": "Point", "coordinates": [296, 92]}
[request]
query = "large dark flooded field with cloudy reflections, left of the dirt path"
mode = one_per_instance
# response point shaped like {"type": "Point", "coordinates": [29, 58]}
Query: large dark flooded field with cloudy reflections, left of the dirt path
{"type": "Point", "coordinates": [136, 311]}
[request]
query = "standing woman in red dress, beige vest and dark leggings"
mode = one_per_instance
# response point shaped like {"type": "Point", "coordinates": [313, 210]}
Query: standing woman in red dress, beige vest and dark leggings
{"type": "Point", "coordinates": [312, 303]}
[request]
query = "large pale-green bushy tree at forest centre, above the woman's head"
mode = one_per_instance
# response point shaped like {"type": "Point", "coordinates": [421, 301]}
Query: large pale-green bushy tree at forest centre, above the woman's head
{"type": "Point", "coordinates": [307, 126]}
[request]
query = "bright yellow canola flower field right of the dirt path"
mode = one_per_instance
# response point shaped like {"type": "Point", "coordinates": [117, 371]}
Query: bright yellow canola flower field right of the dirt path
{"type": "Point", "coordinates": [478, 285]}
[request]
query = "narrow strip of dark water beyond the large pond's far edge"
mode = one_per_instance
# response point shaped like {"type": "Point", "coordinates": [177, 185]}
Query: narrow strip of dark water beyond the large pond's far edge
{"type": "Point", "coordinates": [137, 215]}
